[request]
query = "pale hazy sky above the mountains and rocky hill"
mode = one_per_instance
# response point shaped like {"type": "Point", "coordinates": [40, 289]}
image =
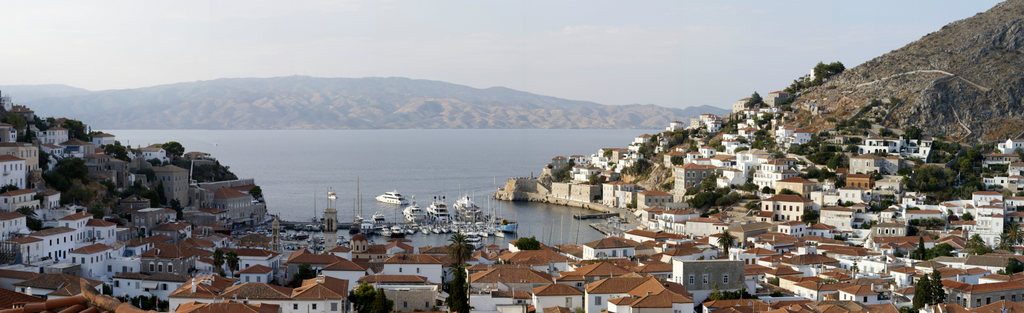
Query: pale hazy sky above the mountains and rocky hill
{"type": "Point", "coordinates": [671, 54]}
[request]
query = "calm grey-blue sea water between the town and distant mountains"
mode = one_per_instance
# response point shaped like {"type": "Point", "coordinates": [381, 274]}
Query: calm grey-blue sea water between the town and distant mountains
{"type": "Point", "coordinates": [296, 168]}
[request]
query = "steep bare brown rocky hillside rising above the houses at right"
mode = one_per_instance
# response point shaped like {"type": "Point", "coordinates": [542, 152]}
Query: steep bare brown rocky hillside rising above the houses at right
{"type": "Point", "coordinates": [965, 81]}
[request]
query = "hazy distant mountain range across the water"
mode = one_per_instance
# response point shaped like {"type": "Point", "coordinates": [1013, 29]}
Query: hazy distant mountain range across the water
{"type": "Point", "coordinates": [307, 103]}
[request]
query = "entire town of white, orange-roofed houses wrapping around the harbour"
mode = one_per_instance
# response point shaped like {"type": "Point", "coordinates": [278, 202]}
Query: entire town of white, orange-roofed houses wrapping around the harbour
{"type": "Point", "coordinates": [738, 213]}
